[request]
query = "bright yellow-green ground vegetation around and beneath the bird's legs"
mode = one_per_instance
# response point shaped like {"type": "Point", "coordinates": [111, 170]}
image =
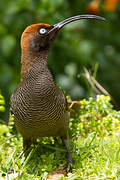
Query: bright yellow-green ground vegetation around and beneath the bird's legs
{"type": "Point", "coordinates": [94, 142]}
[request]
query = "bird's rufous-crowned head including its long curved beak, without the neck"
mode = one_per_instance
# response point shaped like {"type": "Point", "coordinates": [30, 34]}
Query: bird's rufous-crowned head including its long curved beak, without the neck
{"type": "Point", "coordinates": [38, 37]}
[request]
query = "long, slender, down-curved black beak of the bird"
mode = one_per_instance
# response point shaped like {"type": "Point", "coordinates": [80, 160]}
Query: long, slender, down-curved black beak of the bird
{"type": "Point", "coordinates": [59, 25]}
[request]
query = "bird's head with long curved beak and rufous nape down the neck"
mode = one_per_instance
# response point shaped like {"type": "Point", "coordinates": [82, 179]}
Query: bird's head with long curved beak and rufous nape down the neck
{"type": "Point", "coordinates": [37, 39]}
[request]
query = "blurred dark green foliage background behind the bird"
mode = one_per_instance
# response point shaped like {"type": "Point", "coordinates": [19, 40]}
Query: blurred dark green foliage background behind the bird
{"type": "Point", "coordinates": [80, 44]}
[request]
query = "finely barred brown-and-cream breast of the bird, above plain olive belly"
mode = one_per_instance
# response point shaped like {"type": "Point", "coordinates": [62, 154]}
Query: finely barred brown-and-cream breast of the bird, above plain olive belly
{"type": "Point", "coordinates": [38, 93]}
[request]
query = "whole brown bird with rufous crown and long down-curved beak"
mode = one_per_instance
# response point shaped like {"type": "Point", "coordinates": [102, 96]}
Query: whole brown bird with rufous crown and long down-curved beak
{"type": "Point", "coordinates": [39, 106]}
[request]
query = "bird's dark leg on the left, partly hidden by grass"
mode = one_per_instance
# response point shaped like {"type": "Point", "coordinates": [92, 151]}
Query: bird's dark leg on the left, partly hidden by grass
{"type": "Point", "coordinates": [26, 145]}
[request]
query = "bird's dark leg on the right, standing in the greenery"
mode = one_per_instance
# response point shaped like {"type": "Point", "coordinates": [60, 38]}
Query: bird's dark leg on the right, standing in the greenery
{"type": "Point", "coordinates": [69, 158]}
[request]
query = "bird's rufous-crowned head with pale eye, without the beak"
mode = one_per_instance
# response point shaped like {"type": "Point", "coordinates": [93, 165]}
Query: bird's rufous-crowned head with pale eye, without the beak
{"type": "Point", "coordinates": [37, 37]}
